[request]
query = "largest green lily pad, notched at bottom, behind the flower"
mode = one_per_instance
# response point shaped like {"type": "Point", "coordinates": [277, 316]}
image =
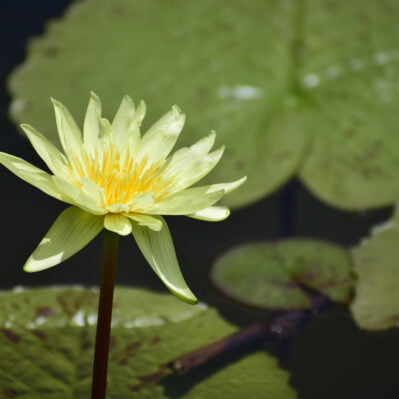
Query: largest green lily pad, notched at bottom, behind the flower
{"type": "Point", "coordinates": [307, 86]}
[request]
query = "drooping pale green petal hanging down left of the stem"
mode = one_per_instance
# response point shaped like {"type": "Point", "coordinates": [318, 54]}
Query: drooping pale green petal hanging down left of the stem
{"type": "Point", "coordinates": [71, 231]}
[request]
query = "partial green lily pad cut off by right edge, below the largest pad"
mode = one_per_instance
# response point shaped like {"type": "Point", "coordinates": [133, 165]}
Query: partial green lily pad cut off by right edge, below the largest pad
{"type": "Point", "coordinates": [376, 263]}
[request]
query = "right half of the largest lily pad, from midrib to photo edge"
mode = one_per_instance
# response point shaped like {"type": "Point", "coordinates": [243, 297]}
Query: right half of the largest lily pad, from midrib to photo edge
{"type": "Point", "coordinates": [351, 75]}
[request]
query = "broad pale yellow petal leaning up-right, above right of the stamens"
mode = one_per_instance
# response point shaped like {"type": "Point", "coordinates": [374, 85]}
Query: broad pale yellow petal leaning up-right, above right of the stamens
{"type": "Point", "coordinates": [160, 138]}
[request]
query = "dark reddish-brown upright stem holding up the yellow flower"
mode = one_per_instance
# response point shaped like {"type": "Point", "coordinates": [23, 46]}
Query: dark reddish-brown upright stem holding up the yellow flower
{"type": "Point", "coordinates": [110, 255]}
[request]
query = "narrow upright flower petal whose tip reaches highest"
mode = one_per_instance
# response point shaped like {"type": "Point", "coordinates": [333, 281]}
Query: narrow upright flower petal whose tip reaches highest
{"type": "Point", "coordinates": [91, 125]}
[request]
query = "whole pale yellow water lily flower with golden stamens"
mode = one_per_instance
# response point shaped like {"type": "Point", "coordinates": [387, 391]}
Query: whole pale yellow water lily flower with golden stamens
{"type": "Point", "coordinates": [115, 178]}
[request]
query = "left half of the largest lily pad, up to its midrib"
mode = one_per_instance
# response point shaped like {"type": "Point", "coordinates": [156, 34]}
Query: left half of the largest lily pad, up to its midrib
{"type": "Point", "coordinates": [205, 56]}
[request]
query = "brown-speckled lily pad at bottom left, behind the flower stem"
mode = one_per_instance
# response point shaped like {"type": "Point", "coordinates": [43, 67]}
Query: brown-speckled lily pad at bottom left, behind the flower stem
{"type": "Point", "coordinates": [47, 338]}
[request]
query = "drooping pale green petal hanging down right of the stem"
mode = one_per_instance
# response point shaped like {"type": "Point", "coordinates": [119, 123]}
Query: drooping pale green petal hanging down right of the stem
{"type": "Point", "coordinates": [158, 249]}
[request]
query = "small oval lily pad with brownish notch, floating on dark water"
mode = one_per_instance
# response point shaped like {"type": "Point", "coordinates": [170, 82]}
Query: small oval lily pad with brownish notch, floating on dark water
{"type": "Point", "coordinates": [271, 275]}
